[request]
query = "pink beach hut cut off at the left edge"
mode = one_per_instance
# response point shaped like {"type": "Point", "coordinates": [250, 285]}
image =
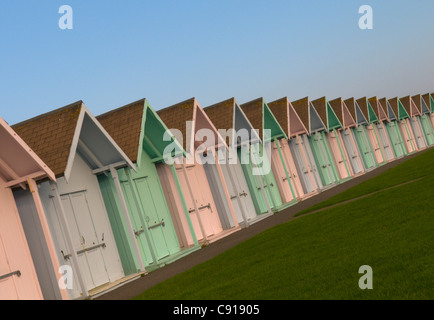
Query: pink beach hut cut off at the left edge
{"type": "Point", "coordinates": [20, 169]}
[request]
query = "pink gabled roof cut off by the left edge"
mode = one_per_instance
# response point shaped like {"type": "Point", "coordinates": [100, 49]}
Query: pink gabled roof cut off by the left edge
{"type": "Point", "coordinates": [17, 159]}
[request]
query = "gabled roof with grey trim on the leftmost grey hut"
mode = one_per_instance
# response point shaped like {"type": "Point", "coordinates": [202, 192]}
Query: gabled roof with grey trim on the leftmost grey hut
{"type": "Point", "coordinates": [58, 135]}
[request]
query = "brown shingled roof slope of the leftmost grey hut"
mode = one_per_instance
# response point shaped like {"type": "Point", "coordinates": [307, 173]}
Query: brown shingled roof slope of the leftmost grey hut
{"type": "Point", "coordinates": [50, 135]}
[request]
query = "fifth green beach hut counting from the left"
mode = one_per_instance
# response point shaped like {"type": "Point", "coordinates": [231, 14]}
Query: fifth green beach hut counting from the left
{"type": "Point", "coordinates": [392, 128]}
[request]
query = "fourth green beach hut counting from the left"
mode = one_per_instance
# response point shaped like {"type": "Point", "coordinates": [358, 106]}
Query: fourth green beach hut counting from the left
{"type": "Point", "coordinates": [363, 141]}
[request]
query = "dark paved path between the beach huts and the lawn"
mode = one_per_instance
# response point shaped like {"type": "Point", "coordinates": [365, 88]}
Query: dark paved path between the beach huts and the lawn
{"type": "Point", "coordinates": [140, 285]}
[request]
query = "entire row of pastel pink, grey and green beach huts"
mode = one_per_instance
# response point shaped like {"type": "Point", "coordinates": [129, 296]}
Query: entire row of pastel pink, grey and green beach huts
{"type": "Point", "coordinates": [88, 203]}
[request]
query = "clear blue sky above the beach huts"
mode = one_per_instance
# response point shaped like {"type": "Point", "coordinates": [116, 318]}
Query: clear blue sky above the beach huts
{"type": "Point", "coordinates": [169, 51]}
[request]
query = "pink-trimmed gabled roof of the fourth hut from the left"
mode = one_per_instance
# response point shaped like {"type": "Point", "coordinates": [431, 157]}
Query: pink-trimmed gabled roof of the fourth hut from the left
{"type": "Point", "coordinates": [188, 117]}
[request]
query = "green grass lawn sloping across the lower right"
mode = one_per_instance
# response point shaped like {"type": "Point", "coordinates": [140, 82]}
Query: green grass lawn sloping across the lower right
{"type": "Point", "coordinates": [318, 256]}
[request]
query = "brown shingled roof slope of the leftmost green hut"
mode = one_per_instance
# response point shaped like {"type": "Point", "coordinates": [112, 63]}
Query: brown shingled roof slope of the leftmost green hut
{"type": "Point", "coordinates": [124, 125]}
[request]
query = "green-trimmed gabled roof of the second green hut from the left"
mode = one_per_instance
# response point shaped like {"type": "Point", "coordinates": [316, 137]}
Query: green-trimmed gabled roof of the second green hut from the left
{"type": "Point", "coordinates": [261, 117]}
